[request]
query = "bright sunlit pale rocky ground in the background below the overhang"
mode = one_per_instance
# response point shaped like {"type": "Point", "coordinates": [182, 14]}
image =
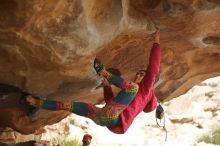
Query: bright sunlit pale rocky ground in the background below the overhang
{"type": "Point", "coordinates": [187, 118]}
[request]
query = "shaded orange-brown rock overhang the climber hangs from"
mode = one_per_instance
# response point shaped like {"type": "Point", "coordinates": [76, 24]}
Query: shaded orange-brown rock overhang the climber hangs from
{"type": "Point", "coordinates": [47, 48]}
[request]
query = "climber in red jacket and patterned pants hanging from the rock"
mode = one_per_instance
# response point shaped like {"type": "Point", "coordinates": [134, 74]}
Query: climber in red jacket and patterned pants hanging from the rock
{"type": "Point", "coordinates": [119, 111]}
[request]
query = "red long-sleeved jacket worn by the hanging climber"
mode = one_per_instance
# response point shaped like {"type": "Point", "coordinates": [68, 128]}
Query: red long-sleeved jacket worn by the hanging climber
{"type": "Point", "coordinates": [145, 99]}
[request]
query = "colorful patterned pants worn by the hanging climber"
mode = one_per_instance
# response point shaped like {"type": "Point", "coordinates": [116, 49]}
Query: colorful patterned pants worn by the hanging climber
{"type": "Point", "coordinates": [109, 114]}
